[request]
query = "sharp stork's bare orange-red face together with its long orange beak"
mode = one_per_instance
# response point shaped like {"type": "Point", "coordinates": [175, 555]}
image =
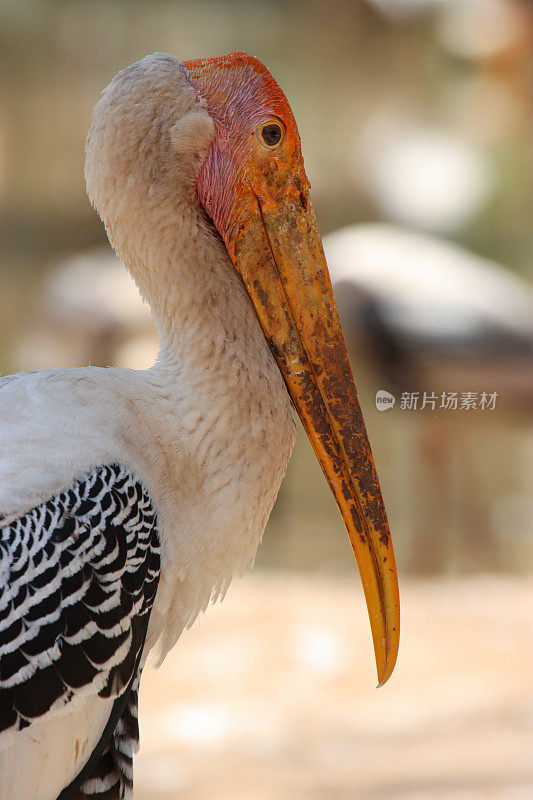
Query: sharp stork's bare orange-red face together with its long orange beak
{"type": "Point", "coordinates": [258, 199]}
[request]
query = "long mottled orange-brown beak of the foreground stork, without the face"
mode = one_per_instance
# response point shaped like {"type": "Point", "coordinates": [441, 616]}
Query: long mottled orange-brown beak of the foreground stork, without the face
{"type": "Point", "coordinates": [279, 254]}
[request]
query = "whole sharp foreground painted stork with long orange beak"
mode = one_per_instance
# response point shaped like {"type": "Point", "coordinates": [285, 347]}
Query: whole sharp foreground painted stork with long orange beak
{"type": "Point", "coordinates": [128, 498]}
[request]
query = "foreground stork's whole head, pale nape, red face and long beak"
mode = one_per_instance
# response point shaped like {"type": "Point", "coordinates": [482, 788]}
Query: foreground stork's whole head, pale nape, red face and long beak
{"type": "Point", "coordinates": [223, 127]}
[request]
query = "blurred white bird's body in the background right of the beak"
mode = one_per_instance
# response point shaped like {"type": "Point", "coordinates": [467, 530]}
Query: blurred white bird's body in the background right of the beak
{"type": "Point", "coordinates": [435, 297]}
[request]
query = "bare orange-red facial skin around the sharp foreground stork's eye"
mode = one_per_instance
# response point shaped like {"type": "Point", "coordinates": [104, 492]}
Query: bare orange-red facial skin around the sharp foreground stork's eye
{"type": "Point", "coordinates": [239, 93]}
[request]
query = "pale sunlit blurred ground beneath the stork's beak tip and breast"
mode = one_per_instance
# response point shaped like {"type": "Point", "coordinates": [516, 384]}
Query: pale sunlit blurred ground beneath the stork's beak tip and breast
{"type": "Point", "coordinates": [272, 696]}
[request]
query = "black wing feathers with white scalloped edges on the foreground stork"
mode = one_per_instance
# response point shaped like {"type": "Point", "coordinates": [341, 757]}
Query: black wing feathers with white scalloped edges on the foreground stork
{"type": "Point", "coordinates": [78, 577]}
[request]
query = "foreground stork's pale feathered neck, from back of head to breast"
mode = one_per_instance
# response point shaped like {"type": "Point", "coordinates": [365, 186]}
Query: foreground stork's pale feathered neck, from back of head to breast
{"type": "Point", "coordinates": [210, 427]}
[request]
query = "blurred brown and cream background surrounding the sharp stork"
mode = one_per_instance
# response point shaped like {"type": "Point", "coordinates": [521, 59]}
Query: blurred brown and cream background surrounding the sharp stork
{"type": "Point", "coordinates": [416, 118]}
